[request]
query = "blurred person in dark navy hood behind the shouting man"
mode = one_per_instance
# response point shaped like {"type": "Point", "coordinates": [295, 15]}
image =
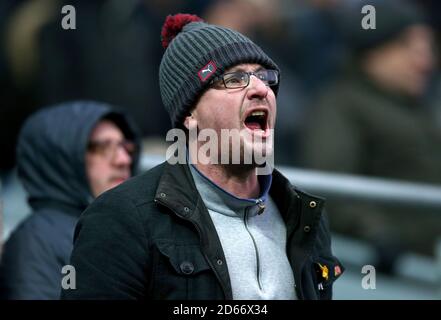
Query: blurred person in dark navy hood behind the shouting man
{"type": "Point", "coordinates": [67, 156]}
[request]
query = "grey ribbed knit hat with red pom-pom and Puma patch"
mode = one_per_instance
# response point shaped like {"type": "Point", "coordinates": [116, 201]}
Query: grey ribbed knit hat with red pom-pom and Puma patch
{"type": "Point", "coordinates": [195, 53]}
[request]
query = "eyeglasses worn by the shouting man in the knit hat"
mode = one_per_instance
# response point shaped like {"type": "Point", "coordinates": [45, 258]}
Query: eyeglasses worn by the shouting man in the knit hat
{"type": "Point", "coordinates": [241, 79]}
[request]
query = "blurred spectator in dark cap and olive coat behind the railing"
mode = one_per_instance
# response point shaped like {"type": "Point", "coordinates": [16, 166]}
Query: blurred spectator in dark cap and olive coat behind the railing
{"type": "Point", "coordinates": [373, 121]}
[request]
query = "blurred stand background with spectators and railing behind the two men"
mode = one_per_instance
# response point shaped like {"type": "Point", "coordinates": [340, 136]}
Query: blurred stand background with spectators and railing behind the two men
{"type": "Point", "coordinates": [359, 111]}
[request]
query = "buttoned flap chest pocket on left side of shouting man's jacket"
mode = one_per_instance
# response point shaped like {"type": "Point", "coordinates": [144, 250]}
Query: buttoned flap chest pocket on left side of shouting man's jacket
{"type": "Point", "coordinates": [181, 272]}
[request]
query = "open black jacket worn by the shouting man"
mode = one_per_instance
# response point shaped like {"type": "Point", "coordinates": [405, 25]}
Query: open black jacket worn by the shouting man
{"type": "Point", "coordinates": [152, 238]}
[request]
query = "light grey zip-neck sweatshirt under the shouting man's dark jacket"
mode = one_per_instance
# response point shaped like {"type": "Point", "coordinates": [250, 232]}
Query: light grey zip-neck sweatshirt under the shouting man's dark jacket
{"type": "Point", "coordinates": [254, 242]}
